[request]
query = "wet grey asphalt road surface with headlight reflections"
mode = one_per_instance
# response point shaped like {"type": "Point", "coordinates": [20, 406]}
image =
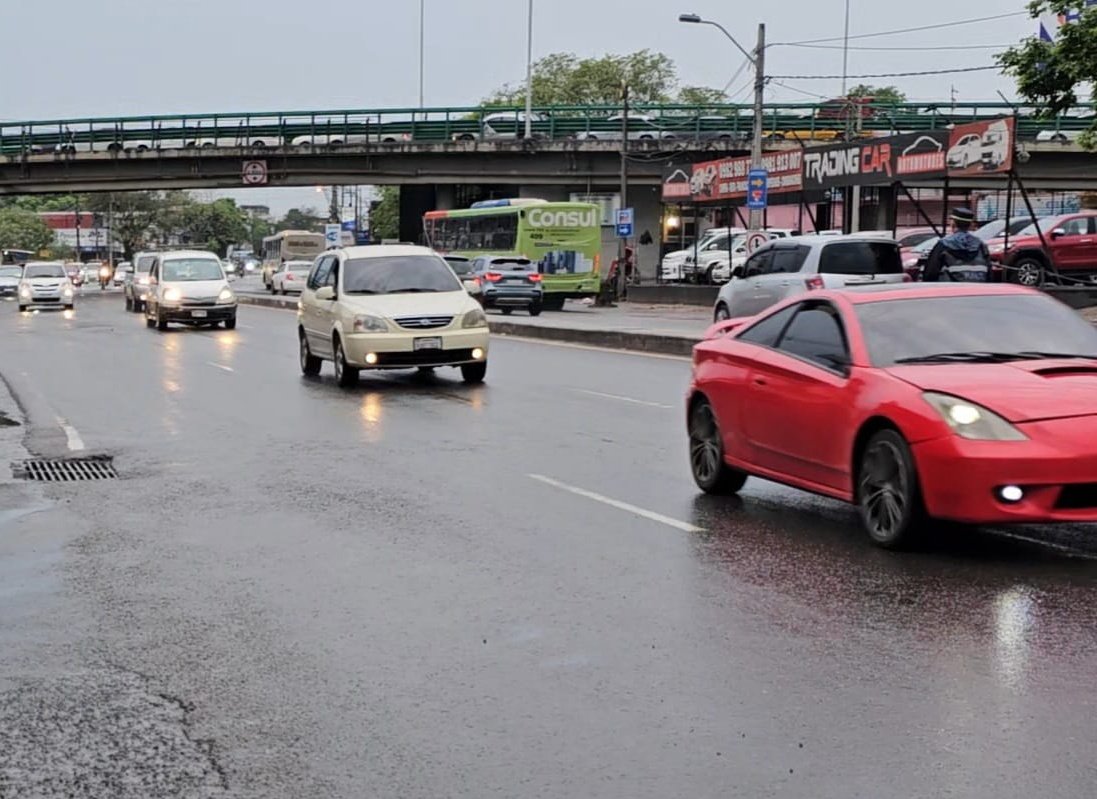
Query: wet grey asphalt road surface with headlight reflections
{"type": "Point", "coordinates": [296, 591]}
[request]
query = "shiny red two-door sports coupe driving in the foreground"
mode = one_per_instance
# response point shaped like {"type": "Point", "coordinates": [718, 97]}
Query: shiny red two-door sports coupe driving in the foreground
{"type": "Point", "coordinates": [974, 403]}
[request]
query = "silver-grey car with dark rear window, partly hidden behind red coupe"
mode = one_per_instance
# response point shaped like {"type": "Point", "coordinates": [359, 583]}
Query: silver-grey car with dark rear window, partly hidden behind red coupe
{"type": "Point", "coordinates": [788, 267]}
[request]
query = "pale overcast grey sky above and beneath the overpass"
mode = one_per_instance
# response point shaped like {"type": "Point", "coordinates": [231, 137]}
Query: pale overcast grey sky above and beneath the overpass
{"type": "Point", "coordinates": [205, 57]}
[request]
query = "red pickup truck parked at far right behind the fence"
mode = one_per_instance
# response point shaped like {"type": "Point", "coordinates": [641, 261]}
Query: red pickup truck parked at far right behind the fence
{"type": "Point", "coordinates": [1068, 247]}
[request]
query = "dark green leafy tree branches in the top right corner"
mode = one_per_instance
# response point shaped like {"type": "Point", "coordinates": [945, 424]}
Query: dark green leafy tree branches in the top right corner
{"type": "Point", "coordinates": [1051, 75]}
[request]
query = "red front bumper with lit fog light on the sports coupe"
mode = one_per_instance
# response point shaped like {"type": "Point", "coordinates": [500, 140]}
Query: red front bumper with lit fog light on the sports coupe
{"type": "Point", "coordinates": [1057, 470]}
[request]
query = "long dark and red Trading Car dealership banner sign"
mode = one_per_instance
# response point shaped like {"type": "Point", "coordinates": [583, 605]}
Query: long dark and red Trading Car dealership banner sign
{"type": "Point", "coordinates": [985, 148]}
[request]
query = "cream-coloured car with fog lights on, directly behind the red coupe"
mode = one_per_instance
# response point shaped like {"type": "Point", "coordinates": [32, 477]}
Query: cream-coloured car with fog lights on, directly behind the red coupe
{"type": "Point", "coordinates": [389, 307]}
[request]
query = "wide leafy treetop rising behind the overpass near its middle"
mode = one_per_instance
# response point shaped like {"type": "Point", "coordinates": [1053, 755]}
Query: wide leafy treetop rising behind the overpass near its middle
{"type": "Point", "coordinates": [564, 78]}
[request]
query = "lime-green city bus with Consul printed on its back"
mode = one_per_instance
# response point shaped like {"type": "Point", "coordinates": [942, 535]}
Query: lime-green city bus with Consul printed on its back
{"type": "Point", "coordinates": [564, 240]}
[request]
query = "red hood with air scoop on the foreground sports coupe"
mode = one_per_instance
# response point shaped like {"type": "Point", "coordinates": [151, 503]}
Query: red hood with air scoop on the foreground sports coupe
{"type": "Point", "coordinates": [1022, 391]}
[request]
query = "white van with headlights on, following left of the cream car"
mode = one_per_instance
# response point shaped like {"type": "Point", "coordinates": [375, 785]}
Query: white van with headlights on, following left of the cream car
{"type": "Point", "coordinates": [189, 288]}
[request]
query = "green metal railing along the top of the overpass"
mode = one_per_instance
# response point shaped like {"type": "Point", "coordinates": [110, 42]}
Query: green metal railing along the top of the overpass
{"type": "Point", "coordinates": [668, 123]}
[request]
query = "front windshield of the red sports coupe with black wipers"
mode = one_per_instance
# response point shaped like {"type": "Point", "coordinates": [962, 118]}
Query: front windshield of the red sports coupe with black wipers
{"type": "Point", "coordinates": [907, 331]}
